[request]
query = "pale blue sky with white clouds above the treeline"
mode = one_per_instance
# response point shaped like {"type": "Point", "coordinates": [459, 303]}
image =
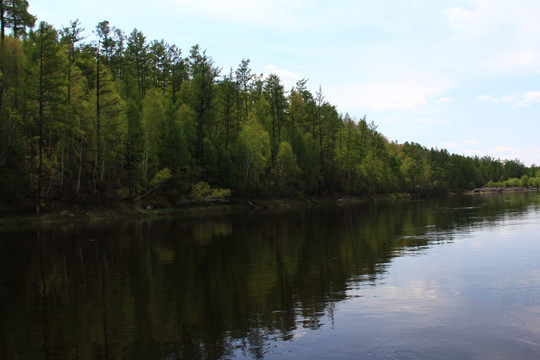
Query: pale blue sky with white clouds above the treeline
{"type": "Point", "coordinates": [461, 75]}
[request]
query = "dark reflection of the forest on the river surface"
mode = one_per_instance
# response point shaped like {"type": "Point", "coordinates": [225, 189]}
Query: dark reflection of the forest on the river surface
{"type": "Point", "coordinates": [212, 287]}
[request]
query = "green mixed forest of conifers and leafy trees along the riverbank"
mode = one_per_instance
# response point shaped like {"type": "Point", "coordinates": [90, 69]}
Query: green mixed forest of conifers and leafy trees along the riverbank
{"type": "Point", "coordinates": [120, 118]}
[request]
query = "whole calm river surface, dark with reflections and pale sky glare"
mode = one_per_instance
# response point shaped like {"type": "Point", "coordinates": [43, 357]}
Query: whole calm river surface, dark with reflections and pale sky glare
{"type": "Point", "coordinates": [452, 279]}
